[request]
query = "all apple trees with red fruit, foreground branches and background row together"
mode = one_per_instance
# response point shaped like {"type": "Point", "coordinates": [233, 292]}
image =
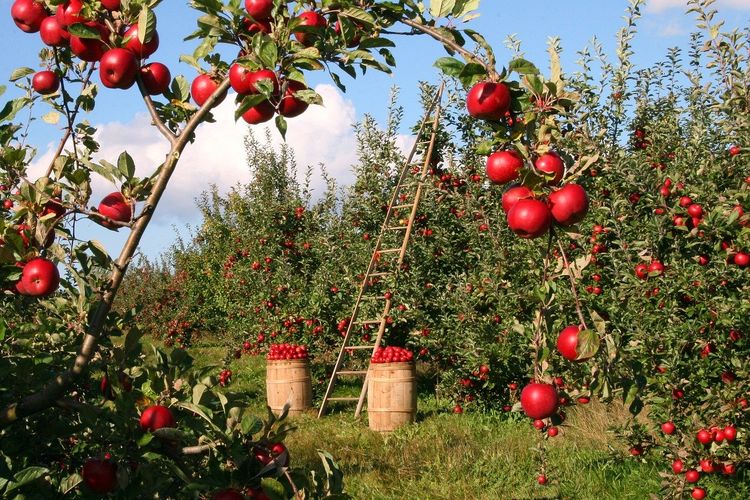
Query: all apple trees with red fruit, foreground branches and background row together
{"type": "Point", "coordinates": [583, 236]}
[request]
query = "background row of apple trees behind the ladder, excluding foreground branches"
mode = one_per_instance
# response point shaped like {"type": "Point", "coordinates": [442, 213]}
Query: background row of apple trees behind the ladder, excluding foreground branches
{"type": "Point", "coordinates": [656, 274]}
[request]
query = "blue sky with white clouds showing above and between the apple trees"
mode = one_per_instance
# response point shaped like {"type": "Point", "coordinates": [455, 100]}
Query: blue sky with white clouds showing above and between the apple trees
{"type": "Point", "coordinates": [664, 24]}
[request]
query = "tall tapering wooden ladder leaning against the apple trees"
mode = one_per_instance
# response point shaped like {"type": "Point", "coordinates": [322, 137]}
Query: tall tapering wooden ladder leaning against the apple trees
{"type": "Point", "coordinates": [406, 182]}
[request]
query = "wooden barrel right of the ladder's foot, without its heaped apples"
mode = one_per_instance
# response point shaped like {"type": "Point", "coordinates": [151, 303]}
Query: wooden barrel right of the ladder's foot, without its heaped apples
{"type": "Point", "coordinates": [391, 395]}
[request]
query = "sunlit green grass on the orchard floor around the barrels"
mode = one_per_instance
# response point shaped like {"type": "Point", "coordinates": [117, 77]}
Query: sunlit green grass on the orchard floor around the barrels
{"type": "Point", "coordinates": [469, 456]}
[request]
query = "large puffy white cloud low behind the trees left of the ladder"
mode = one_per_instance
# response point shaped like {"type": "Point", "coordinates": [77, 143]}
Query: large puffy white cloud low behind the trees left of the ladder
{"type": "Point", "coordinates": [320, 135]}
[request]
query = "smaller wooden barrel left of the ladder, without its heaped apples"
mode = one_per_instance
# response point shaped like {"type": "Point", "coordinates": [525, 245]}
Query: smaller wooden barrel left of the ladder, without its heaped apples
{"type": "Point", "coordinates": [289, 380]}
